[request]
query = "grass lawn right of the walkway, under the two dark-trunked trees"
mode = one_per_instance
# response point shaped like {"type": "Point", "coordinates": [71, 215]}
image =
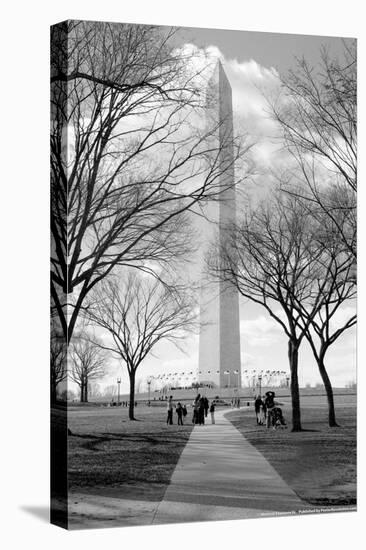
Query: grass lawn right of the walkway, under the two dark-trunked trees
{"type": "Point", "coordinates": [319, 464]}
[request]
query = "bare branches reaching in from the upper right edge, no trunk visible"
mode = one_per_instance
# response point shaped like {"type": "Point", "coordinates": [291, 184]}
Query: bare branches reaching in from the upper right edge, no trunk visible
{"type": "Point", "coordinates": [317, 112]}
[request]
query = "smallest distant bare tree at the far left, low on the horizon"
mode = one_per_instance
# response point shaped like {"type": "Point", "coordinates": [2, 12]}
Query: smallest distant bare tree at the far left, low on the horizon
{"type": "Point", "coordinates": [87, 364]}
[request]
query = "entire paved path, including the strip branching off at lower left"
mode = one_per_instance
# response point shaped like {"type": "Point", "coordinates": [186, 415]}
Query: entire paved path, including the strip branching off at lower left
{"type": "Point", "coordinates": [219, 476]}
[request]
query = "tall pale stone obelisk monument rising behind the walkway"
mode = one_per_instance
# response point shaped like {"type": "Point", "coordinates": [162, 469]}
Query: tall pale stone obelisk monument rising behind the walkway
{"type": "Point", "coordinates": [219, 338]}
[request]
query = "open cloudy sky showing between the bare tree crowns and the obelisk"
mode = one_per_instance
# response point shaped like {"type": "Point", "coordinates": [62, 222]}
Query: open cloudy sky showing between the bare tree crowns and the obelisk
{"type": "Point", "coordinates": [253, 62]}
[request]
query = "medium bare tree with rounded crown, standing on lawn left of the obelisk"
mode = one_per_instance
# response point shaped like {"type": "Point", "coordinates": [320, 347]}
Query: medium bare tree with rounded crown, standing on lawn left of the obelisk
{"type": "Point", "coordinates": [138, 313]}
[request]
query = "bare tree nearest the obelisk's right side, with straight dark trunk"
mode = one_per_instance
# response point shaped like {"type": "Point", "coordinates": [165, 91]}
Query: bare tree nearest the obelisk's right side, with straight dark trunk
{"type": "Point", "coordinates": [270, 257]}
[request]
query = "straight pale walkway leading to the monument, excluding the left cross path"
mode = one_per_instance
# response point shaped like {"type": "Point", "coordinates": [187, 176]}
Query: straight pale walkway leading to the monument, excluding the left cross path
{"type": "Point", "coordinates": [220, 475]}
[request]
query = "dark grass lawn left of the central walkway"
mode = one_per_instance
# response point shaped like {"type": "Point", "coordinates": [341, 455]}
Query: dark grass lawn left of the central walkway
{"type": "Point", "coordinates": [112, 456]}
